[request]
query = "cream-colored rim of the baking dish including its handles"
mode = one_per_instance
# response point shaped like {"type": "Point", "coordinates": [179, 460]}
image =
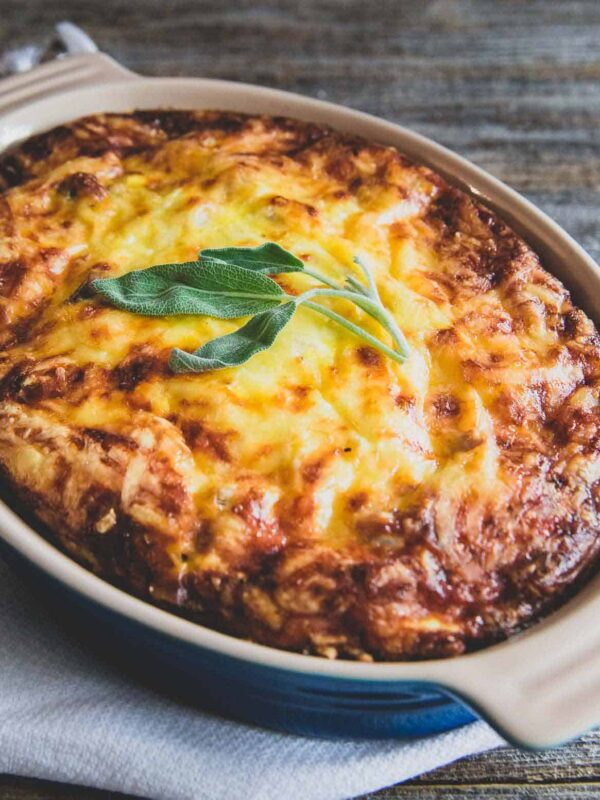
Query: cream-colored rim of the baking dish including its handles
{"type": "Point", "coordinates": [540, 687]}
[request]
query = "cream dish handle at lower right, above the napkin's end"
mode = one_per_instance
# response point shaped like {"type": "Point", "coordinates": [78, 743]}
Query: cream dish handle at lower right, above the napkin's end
{"type": "Point", "coordinates": [541, 688]}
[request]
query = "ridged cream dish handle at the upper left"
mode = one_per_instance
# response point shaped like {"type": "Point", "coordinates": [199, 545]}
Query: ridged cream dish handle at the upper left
{"type": "Point", "coordinates": [70, 72]}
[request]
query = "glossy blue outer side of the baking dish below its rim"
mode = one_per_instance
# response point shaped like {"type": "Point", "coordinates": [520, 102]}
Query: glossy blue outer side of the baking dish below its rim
{"type": "Point", "coordinates": [299, 703]}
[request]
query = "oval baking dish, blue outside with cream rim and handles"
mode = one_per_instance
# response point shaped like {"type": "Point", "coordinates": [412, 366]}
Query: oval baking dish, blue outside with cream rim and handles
{"type": "Point", "coordinates": [539, 688]}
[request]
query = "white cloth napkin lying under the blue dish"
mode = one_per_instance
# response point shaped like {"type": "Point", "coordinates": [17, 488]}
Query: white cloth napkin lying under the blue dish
{"type": "Point", "coordinates": [66, 717]}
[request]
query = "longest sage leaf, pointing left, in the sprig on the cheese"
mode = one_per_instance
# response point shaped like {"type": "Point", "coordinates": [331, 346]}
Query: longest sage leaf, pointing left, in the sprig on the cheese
{"type": "Point", "coordinates": [210, 288]}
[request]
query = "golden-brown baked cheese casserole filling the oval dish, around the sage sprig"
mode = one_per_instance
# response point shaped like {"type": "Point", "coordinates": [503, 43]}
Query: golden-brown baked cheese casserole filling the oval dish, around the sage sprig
{"type": "Point", "coordinates": [321, 497]}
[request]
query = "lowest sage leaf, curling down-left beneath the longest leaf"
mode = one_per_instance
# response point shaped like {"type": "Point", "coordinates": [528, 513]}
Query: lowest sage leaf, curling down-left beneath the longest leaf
{"type": "Point", "coordinates": [235, 348]}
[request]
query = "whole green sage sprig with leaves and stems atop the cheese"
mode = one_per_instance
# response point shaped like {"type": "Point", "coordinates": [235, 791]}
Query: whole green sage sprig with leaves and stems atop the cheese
{"type": "Point", "coordinates": [232, 282]}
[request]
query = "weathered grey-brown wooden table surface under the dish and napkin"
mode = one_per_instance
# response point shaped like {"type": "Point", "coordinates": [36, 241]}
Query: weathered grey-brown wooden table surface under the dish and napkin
{"type": "Point", "coordinates": [512, 85]}
